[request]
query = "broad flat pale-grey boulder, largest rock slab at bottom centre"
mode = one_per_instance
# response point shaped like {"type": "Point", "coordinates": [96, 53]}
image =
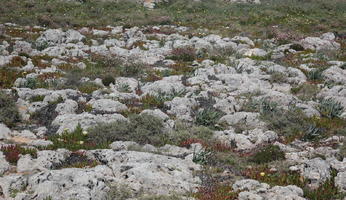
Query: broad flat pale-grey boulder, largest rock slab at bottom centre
{"type": "Point", "coordinates": [156, 174]}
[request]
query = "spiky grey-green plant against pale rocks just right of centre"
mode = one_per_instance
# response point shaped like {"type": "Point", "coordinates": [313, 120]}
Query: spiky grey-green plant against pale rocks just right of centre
{"type": "Point", "coordinates": [208, 117]}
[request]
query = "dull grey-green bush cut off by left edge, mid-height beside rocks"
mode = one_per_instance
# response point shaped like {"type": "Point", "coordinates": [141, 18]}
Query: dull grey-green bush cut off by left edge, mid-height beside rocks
{"type": "Point", "coordinates": [9, 114]}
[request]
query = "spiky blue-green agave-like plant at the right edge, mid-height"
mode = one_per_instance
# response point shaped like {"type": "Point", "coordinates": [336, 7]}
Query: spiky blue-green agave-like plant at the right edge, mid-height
{"type": "Point", "coordinates": [330, 108]}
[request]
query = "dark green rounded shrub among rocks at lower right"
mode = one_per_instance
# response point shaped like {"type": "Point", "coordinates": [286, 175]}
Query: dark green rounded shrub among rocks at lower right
{"type": "Point", "coordinates": [268, 154]}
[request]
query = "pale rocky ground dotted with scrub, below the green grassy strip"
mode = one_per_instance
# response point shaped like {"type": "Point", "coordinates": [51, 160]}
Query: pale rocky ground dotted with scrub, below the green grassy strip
{"type": "Point", "coordinates": [163, 112]}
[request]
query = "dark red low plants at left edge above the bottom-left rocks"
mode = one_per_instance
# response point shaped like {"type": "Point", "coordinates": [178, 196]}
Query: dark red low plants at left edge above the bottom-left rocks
{"type": "Point", "coordinates": [12, 152]}
